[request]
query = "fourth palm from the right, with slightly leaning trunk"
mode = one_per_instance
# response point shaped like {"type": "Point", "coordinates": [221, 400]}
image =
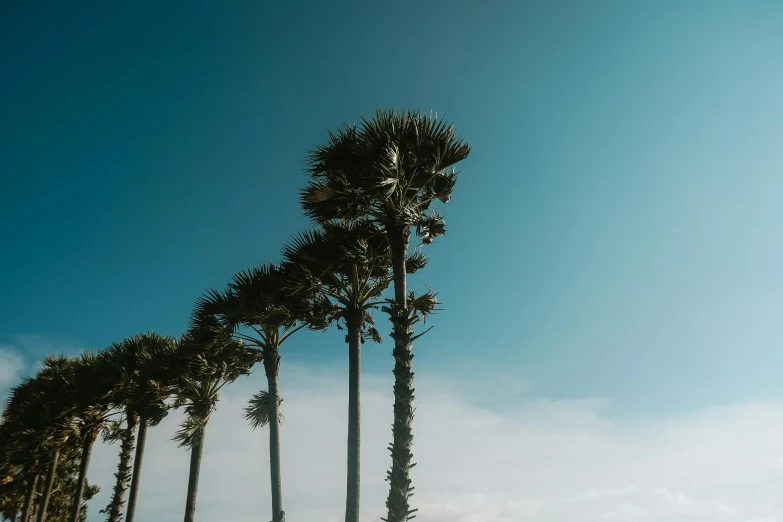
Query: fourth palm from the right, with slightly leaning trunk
{"type": "Point", "coordinates": [213, 362]}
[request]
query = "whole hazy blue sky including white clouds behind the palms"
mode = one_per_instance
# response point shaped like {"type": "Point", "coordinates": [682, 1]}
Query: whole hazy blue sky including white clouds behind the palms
{"type": "Point", "coordinates": [610, 344]}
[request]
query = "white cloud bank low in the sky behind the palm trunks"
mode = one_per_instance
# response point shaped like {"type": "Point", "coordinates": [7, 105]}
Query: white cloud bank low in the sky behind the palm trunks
{"type": "Point", "coordinates": [474, 464]}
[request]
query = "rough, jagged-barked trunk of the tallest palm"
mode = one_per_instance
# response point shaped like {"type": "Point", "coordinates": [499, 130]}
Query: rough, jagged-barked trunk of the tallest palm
{"type": "Point", "coordinates": [400, 489]}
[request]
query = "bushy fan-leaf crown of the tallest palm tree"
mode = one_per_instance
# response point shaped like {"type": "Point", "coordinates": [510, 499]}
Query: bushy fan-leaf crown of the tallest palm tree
{"type": "Point", "coordinates": [390, 167]}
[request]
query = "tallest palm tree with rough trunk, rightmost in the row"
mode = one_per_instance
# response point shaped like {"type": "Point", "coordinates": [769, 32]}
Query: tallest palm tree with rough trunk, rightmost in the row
{"type": "Point", "coordinates": [390, 170]}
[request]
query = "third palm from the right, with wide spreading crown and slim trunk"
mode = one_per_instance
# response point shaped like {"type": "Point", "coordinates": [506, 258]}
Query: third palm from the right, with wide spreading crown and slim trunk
{"type": "Point", "coordinates": [257, 309]}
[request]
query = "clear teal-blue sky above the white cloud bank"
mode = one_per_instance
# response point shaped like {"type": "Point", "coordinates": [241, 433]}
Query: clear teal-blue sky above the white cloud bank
{"type": "Point", "coordinates": [615, 233]}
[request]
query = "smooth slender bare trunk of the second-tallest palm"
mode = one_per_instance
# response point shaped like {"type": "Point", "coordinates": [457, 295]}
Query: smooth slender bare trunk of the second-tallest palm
{"type": "Point", "coordinates": [354, 419]}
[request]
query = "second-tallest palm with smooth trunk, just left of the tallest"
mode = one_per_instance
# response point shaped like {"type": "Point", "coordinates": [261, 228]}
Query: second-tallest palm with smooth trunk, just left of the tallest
{"type": "Point", "coordinates": [350, 265]}
